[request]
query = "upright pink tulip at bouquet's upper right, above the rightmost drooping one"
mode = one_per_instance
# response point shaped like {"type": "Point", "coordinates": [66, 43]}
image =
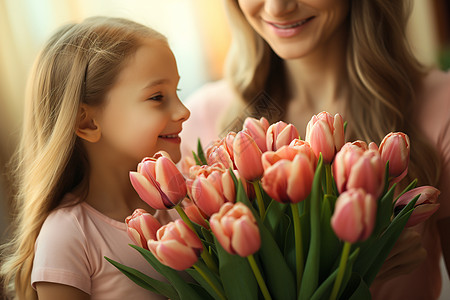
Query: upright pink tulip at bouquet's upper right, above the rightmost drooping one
{"type": "Point", "coordinates": [395, 148]}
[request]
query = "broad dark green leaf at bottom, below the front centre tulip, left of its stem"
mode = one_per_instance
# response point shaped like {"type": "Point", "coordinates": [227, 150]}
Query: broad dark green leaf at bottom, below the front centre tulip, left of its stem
{"type": "Point", "coordinates": [237, 276]}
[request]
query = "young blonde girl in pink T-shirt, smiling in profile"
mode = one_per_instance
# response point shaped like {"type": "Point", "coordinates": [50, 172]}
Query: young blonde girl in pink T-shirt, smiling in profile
{"type": "Point", "coordinates": [103, 95]}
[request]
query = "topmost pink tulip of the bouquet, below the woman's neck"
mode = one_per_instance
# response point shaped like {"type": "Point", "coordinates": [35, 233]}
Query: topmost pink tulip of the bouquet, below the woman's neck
{"type": "Point", "coordinates": [325, 134]}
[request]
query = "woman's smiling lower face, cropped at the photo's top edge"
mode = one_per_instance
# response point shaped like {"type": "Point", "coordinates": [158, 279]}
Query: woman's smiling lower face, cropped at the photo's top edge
{"type": "Point", "coordinates": [295, 28]}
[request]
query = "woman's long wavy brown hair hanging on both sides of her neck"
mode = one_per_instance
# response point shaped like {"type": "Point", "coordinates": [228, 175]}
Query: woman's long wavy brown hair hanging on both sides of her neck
{"type": "Point", "coordinates": [383, 73]}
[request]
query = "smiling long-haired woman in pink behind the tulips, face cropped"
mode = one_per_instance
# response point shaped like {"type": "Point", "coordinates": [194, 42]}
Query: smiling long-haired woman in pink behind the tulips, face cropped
{"type": "Point", "coordinates": [290, 59]}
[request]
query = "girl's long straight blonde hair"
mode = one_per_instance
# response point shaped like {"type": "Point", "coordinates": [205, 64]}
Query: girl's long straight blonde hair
{"type": "Point", "coordinates": [79, 64]}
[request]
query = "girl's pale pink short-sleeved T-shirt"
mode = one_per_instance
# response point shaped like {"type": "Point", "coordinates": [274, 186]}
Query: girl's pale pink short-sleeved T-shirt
{"type": "Point", "coordinates": [70, 250]}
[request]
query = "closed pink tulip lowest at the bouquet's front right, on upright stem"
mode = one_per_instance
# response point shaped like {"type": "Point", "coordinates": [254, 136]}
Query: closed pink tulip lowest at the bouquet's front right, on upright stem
{"type": "Point", "coordinates": [354, 215]}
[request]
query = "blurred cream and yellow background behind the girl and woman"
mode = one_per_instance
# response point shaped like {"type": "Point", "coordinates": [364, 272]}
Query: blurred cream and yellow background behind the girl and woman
{"type": "Point", "coordinates": [197, 31]}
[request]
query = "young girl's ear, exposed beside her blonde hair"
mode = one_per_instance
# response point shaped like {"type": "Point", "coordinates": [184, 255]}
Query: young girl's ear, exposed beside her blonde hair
{"type": "Point", "coordinates": [87, 128]}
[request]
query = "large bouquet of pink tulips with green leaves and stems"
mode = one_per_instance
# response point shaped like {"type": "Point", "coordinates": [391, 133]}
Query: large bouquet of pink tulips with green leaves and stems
{"type": "Point", "coordinates": [267, 215]}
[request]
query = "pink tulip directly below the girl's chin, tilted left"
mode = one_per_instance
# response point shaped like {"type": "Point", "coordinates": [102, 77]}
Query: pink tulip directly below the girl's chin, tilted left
{"type": "Point", "coordinates": [158, 182]}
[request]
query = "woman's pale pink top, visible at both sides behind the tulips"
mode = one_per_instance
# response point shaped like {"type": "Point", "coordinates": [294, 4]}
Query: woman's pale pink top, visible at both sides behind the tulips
{"type": "Point", "coordinates": [433, 117]}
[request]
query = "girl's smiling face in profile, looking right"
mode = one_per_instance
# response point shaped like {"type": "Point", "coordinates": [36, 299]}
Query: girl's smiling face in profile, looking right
{"type": "Point", "coordinates": [142, 113]}
